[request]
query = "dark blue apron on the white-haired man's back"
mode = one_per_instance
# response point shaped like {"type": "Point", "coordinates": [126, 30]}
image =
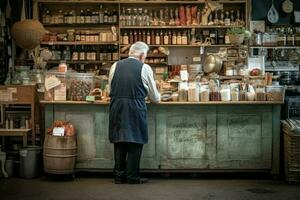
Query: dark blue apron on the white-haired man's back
{"type": "Point", "coordinates": [128, 111]}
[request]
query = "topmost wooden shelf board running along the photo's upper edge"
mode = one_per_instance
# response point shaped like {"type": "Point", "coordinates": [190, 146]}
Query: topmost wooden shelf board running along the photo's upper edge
{"type": "Point", "coordinates": [138, 2]}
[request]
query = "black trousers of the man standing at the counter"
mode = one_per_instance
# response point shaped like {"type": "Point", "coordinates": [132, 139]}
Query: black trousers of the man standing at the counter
{"type": "Point", "coordinates": [127, 160]}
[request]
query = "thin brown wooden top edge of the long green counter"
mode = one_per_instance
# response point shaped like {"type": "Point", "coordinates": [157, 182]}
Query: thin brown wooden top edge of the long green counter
{"type": "Point", "coordinates": [175, 103]}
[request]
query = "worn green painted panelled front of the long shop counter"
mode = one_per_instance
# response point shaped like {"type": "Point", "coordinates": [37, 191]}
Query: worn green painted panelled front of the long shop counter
{"type": "Point", "coordinates": [213, 136]}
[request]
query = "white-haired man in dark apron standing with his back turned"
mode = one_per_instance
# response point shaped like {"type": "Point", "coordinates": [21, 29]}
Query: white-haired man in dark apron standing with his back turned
{"type": "Point", "coordinates": [130, 81]}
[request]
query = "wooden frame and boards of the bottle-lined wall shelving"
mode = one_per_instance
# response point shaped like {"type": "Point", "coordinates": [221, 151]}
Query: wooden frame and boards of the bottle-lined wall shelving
{"type": "Point", "coordinates": [78, 5]}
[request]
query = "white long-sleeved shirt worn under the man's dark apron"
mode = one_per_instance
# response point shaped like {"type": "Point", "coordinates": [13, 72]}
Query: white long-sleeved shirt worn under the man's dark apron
{"type": "Point", "coordinates": [147, 79]}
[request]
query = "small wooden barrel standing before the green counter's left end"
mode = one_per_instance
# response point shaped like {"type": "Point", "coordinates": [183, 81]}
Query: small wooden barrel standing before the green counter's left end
{"type": "Point", "coordinates": [59, 154]}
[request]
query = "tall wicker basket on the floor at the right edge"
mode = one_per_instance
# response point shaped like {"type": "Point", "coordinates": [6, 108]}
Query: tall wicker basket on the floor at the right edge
{"type": "Point", "coordinates": [291, 155]}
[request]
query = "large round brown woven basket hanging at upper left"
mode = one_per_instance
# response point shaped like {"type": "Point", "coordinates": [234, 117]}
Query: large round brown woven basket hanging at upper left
{"type": "Point", "coordinates": [28, 34]}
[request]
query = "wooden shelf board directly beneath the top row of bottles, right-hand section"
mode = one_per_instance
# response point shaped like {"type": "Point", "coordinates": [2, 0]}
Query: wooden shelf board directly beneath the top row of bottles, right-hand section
{"type": "Point", "coordinates": [176, 27]}
